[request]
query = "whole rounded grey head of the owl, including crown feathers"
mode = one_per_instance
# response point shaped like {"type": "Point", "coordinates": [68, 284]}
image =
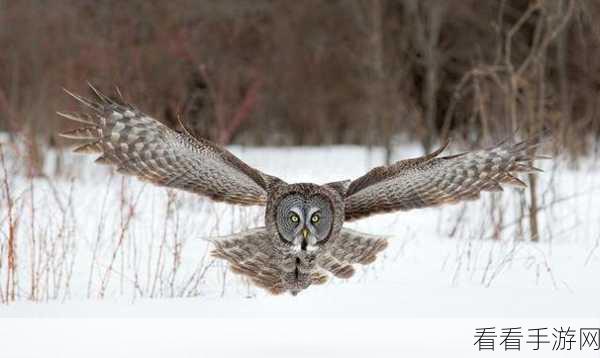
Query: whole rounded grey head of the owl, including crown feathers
{"type": "Point", "coordinates": [306, 217]}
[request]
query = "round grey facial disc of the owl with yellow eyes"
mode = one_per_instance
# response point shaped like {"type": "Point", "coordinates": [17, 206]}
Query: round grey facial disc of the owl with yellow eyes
{"type": "Point", "coordinates": [304, 222]}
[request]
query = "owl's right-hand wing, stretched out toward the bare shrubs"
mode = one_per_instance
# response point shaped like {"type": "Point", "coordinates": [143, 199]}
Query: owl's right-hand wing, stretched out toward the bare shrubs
{"type": "Point", "coordinates": [431, 180]}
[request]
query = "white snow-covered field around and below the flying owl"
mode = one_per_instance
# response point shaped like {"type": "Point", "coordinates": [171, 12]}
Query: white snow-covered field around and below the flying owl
{"type": "Point", "coordinates": [94, 244]}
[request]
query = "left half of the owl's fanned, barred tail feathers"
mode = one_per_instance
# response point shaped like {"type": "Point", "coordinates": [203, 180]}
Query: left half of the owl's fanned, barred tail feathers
{"type": "Point", "coordinates": [247, 254]}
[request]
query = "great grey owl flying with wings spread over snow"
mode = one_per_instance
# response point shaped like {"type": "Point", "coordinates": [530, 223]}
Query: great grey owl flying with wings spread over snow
{"type": "Point", "coordinates": [304, 240]}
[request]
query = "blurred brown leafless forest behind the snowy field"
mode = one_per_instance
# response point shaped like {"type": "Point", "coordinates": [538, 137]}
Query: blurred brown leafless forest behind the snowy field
{"type": "Point", "coordinates": [286, 72]}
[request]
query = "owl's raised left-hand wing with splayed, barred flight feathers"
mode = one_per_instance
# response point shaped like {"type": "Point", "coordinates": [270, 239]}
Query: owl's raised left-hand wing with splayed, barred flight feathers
{"type": "Point", "coordinates": [139, 145]}
